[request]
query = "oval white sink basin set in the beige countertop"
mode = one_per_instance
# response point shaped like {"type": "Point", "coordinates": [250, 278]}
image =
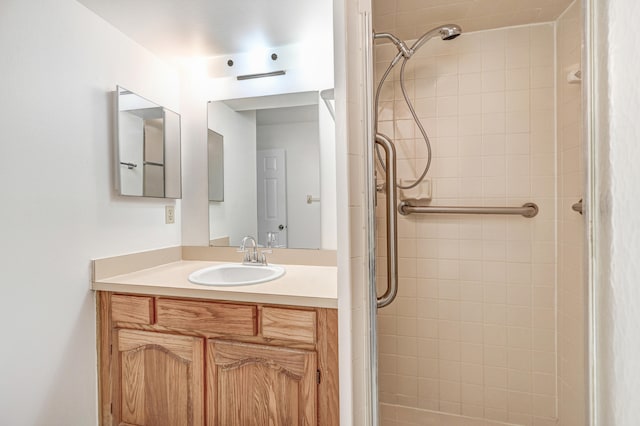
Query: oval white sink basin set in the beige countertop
{"type": "Point", "coordinates": [232, 274]}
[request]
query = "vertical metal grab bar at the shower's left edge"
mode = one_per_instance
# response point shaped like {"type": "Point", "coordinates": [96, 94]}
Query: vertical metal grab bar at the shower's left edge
{"type": "Point", "coordinates": [392, 221]}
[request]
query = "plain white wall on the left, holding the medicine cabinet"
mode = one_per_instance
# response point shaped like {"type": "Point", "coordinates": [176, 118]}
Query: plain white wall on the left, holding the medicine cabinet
{"type": "Point", "coordinates": [59, 64]}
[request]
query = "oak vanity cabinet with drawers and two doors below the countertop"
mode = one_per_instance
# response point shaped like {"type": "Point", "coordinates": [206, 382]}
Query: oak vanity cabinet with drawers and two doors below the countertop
{"type": "Point", "coordinates": [172, 361]}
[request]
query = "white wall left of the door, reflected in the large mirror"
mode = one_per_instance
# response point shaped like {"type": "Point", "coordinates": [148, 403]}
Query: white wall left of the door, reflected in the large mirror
{"type": "Point", "coordinates": [236, 216]}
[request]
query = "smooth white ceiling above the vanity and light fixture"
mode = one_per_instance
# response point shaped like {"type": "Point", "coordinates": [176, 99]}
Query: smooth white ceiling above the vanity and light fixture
{"type": "Point", "coordinates": [204, 28]}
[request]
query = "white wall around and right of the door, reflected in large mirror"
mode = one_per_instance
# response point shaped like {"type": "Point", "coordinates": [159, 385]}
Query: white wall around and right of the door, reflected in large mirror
{"type": "Point", "coordinates": [300, 142]}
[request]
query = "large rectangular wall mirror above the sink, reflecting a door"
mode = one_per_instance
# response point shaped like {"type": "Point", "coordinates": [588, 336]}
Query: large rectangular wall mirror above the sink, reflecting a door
{"type": "Point", "coordinates": [278, 171]}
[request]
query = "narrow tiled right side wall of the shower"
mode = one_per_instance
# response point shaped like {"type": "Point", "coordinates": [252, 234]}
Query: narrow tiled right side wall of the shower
{"type": "Point", "coordinates": [571, 279]}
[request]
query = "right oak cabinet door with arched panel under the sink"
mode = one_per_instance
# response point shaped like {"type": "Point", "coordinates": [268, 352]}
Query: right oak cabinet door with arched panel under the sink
{"type": "Point", "coordinates": [251, 384]}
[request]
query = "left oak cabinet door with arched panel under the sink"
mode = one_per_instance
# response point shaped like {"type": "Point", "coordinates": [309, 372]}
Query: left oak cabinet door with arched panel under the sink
{"type": "Point", "coordinates": [159, 379]}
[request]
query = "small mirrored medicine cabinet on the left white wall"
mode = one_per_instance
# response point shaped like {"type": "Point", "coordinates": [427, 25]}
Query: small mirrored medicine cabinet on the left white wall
{"type": "Point", "coordinates": [148, 148]}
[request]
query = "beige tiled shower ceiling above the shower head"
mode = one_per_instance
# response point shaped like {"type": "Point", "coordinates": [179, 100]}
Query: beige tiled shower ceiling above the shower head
{"type": "Point", "coordinates": [409, 19]}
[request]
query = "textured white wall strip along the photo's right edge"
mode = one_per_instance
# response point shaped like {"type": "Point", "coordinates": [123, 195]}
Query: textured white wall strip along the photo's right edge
{"type": "Point", "coordinates": [617, 206]}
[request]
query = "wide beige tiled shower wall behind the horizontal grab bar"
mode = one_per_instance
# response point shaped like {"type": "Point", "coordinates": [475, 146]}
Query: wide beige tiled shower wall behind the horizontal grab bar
{"type": "Point", "coordinates": [473, 330]}
